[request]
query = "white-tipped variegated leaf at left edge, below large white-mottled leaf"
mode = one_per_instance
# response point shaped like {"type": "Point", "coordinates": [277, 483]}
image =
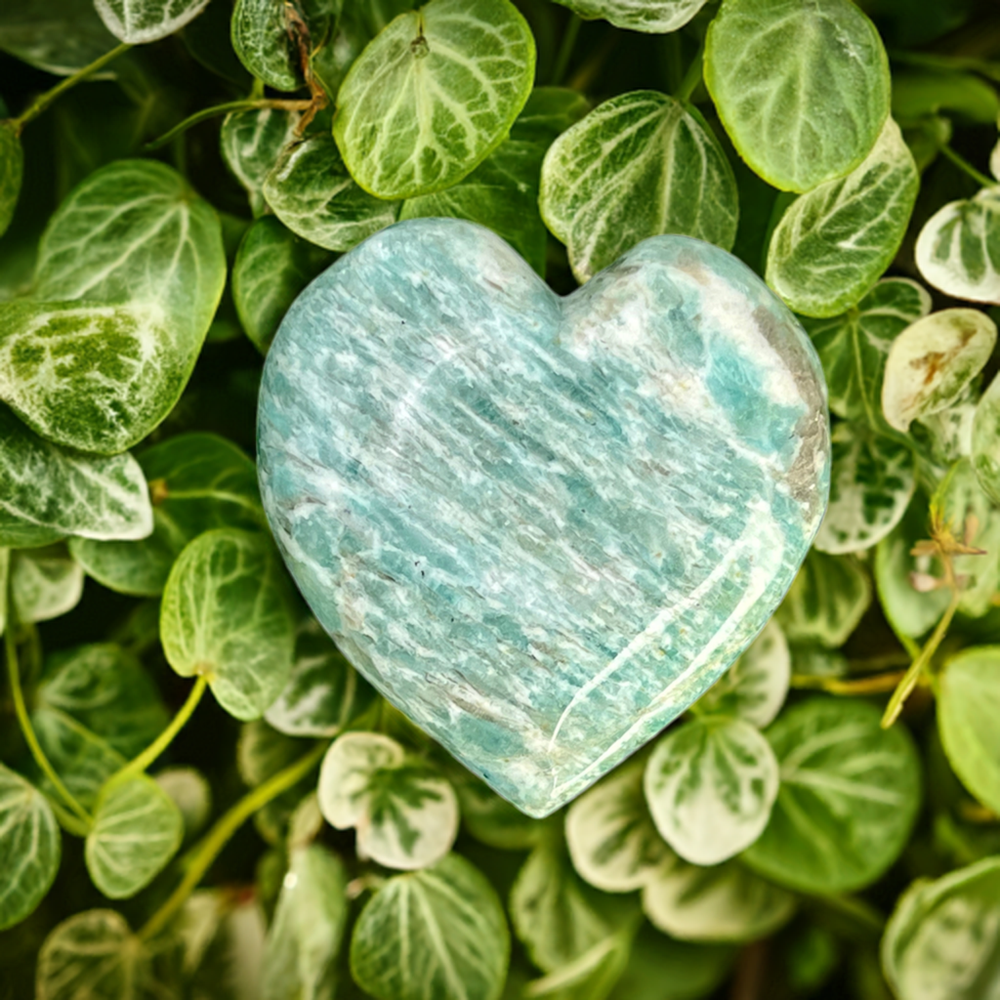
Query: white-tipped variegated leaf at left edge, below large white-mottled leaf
{"type": "Point", "coordinates": [47, 493]}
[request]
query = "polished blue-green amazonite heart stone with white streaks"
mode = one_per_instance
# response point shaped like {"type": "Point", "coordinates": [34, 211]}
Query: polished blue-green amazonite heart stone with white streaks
{"type": "Point", "coordinates": [542, 527]}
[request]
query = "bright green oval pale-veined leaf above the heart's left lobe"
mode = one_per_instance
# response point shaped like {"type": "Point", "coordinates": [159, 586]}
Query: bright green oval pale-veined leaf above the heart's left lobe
{"type": "Point", "coordinates": [433, 95]}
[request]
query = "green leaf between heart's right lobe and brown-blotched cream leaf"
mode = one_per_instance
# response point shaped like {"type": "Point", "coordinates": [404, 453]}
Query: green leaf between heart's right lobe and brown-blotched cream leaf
{"type": "Point", "coordinates": [853, 346]}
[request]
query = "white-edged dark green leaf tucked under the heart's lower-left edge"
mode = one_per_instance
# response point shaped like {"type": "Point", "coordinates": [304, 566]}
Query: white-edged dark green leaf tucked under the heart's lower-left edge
{"type": "Point", "coordinates": [324, 692]}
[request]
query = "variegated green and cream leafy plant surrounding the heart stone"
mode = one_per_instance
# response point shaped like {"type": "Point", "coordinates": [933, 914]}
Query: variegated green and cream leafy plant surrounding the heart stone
{"type": "Point", "coordinates": [825, 822]}
